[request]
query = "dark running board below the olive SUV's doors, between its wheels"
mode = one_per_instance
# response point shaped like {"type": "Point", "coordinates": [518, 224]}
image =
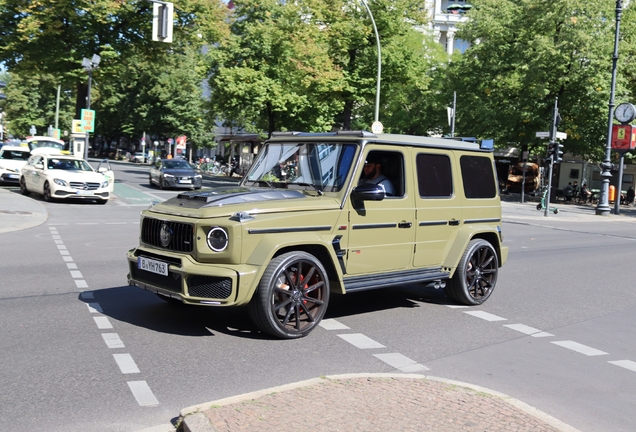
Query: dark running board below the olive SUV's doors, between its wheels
{"type": "Point", "coordinates": [367, 282]}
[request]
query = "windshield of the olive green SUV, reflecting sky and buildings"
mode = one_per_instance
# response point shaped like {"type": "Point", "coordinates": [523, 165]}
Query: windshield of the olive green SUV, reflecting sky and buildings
{"type": "Point", "coordinates": [324, 166]}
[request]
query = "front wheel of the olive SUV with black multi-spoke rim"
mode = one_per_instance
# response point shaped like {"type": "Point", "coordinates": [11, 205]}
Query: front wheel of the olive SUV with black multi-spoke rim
{"type": "Point", "coordinates": [287, 309]}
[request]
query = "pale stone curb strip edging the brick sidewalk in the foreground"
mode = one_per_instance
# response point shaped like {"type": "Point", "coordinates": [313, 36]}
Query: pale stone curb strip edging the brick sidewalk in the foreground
{"type": "Point", "coordinates": [194, 420]}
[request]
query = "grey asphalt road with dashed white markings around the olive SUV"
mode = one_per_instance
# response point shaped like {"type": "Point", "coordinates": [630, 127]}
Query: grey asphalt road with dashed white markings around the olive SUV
{"type": "Point", "coordinates": [557, 333]}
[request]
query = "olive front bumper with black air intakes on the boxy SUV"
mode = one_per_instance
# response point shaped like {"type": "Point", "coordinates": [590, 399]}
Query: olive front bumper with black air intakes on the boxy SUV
{"type": "Point", "coordinates": [193, 282]}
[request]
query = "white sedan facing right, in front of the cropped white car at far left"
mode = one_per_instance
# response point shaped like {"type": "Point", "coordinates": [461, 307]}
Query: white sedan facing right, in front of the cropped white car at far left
{"type": "Point", "coordinates": [59, 176]}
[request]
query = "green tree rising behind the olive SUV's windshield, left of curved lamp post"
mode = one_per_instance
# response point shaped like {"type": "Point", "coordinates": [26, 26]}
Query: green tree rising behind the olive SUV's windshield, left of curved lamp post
{"type": "Point", "coordinates": [274, 71]}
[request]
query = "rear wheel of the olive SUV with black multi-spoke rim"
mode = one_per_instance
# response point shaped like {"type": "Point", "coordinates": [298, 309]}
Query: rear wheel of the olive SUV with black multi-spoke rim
{"type": "Point", "coordinates": [476, 275]}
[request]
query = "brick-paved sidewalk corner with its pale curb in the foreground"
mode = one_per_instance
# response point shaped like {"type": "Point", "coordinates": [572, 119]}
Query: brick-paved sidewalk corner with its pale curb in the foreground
{"type": "Point", "coordinates": [369, 403]}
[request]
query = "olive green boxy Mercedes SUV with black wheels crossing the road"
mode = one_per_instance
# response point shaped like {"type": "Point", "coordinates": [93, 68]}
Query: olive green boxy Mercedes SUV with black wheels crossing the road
{"type": "Point", "coordinates": [321, 213]}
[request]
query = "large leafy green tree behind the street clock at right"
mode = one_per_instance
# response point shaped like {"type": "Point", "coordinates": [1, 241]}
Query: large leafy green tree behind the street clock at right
{"type": "Point", "coordinates": [526, 53]}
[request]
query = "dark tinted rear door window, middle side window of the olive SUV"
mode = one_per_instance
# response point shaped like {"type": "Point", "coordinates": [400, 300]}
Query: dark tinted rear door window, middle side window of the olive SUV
{"type": "Point", "coordinates": [434, 178]}
